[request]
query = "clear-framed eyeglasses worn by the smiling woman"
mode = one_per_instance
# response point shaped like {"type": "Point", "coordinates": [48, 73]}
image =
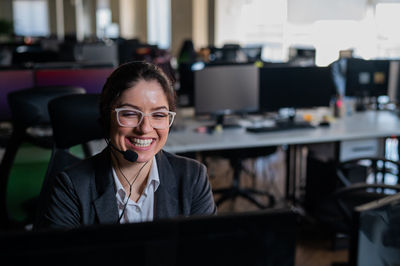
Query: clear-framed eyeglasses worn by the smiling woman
{"type": "Point", "coordinates": [129, 117]}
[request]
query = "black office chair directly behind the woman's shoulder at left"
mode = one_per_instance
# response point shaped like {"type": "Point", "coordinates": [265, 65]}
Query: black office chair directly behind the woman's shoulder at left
{"type": "Point", "coordinates": [75, 121]}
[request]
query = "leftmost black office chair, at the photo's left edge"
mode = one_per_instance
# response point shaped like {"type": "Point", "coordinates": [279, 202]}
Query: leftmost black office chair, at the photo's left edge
{"type": "Point", "coordinates": [31, 123]}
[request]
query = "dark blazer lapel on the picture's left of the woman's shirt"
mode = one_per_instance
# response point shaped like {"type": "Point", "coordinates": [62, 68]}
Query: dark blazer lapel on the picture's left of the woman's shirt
{"type": "Point", "coordinates": [105, 203]}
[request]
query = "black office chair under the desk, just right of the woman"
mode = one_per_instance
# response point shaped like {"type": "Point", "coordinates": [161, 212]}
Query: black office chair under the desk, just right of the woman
{"type": "Point", "coordinates": [234, 191]}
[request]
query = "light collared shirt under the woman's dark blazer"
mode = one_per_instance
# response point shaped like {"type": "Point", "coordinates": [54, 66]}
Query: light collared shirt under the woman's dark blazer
{"type": "Point", "coordinates": [143, 210]}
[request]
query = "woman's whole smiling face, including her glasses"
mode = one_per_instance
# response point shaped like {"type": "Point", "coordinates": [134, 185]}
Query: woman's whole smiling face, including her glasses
{"type": "Point", "coordinates": [144, 96]}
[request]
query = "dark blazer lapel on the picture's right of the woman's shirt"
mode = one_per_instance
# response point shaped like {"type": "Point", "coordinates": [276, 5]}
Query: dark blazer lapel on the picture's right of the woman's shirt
{"type": "Point", "coordinates": [166, 196]}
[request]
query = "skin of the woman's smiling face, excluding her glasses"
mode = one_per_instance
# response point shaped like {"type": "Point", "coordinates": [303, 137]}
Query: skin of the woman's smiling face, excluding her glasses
{"type": "Point", "coordinates": [146, 141]}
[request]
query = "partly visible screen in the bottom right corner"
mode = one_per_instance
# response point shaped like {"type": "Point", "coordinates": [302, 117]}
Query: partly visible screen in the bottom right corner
{"type": "Point", "coordinates": [376, 237]}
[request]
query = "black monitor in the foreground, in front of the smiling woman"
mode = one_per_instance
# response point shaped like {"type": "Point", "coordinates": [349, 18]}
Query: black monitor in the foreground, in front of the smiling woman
{"type": "Point", "coordinates": [265, 237]}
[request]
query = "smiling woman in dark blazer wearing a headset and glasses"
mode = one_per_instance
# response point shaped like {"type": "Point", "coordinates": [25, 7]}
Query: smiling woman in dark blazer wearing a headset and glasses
{"type": "Point", "coordinates": [133, 179]}
